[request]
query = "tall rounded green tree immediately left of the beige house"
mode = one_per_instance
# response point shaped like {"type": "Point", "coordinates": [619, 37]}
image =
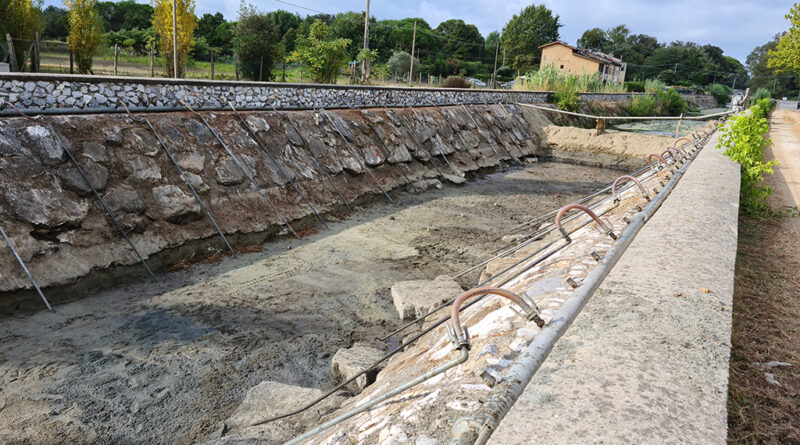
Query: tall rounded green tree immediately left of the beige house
{"type": "Point", "coordinates": [526, 32]}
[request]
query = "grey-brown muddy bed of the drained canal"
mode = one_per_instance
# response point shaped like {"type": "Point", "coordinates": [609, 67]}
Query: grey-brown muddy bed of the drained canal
{"type": "Point", "coordinates": [167, 363]}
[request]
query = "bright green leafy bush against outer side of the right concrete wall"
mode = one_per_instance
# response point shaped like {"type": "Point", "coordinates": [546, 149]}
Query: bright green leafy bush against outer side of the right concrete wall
{"type": "Point", "coordinates": [744, 140]}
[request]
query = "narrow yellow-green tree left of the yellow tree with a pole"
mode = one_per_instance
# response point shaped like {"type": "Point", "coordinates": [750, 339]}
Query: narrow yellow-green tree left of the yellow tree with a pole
{"type": "Point", "coordinates": [84, 32]}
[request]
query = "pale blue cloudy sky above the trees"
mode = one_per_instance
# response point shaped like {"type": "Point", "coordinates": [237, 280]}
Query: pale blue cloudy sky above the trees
{"type": "Point", "coordinates": [736, 26]}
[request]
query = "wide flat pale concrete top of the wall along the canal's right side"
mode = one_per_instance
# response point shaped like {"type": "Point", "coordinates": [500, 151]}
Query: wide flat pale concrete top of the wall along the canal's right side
{"type": "Point", "coordinates": [647, 359]}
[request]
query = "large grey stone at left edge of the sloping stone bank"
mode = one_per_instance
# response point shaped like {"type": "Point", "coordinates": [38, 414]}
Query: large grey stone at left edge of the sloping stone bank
{"type": "Point", "coordinates": [45, 208]}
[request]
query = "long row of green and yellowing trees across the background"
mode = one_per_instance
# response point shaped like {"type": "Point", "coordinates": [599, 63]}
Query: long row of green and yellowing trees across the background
{"type": "Point", "coordinates": [265, 41]}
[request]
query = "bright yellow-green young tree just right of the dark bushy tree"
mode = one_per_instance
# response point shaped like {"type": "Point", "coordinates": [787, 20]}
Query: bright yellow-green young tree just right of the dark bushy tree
{"type": "Point", "coordinates": [321, 57]}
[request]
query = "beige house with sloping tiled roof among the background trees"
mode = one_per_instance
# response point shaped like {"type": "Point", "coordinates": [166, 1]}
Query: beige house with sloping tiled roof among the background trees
{"type": "Point", "coordinates": [583, 61]}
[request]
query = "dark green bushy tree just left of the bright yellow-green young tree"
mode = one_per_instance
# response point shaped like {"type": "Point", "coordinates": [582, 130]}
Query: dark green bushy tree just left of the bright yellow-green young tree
{"type": "Point", "coordinates": [256, 43]}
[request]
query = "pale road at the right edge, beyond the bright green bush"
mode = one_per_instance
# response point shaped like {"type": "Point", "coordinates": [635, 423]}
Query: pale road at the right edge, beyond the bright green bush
{"type": "Point", "coordinates": [785, 181]}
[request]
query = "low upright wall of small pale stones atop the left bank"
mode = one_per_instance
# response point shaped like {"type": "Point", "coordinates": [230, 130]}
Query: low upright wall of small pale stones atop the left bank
{"type": "Point", "coordinates": [35, 92]}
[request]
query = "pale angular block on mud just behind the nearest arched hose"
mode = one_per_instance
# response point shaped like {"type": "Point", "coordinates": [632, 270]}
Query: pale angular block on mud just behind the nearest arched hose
{"type": "Point", "coordinates": [417, 297]}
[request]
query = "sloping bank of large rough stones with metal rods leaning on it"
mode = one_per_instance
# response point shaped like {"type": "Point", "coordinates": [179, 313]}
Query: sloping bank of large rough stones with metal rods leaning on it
{"type": "Point", "coordinates": [62, 233]}
